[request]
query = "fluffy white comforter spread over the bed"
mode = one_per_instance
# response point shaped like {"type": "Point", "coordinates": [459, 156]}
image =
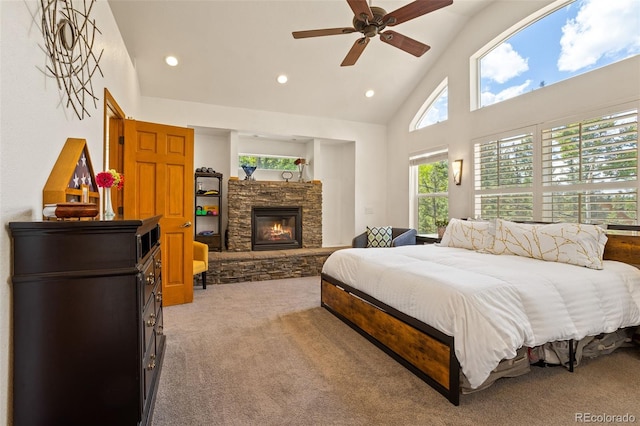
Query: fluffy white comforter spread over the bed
{"type": "Point", "coordinates": [492, 305]}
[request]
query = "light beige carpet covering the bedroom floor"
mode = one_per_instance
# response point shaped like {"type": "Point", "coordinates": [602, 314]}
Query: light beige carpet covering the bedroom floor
{"type": "Point", "coordinates": [266, 353]}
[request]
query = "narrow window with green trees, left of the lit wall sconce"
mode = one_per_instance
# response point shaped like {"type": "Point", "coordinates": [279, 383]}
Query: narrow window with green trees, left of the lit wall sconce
{"type": "Point", "coordinates": [432, 199]}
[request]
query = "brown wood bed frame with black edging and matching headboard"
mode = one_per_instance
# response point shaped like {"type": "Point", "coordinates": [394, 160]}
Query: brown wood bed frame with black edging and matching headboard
{"type": "Point", "coordinates": [425, 351]}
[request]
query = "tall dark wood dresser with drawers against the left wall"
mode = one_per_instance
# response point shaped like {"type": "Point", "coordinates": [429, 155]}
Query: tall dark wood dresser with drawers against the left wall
{"type": "Point", "coordinates": [87, 321]}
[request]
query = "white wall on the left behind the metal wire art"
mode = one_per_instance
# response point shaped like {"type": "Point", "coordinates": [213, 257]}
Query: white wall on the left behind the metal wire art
{"type": "Point", "coordinates": [34, 126]}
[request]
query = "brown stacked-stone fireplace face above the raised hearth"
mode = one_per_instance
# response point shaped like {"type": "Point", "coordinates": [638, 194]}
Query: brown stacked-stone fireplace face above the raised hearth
{"type": "Point", "coordinates": [245, 196]}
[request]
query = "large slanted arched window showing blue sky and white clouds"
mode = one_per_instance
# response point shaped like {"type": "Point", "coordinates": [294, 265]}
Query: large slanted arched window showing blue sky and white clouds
{"type": "Point", "coordinates": [561, 41]}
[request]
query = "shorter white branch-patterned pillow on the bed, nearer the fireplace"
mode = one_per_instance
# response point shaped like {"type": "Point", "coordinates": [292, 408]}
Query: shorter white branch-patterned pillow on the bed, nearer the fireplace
{"type": "Point", "coordinates": [471, 235]}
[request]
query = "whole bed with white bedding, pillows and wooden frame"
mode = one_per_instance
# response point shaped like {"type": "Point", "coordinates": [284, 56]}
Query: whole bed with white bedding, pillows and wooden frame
{"type": "Point", "coordinates": [455, 313]}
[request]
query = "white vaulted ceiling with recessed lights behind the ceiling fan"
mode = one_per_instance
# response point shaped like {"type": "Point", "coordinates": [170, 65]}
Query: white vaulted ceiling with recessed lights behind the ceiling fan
{"type": "Point", "coordinates": [231, 53]}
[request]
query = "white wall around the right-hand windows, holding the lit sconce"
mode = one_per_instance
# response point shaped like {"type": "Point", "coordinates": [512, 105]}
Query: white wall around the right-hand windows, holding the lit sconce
{"type": "Point", "coordinates": [612, 85]}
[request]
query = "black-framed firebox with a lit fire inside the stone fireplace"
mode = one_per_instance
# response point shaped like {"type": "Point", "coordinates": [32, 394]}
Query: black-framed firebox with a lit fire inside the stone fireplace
{"type": "Point", "coordinates": [276, 228]}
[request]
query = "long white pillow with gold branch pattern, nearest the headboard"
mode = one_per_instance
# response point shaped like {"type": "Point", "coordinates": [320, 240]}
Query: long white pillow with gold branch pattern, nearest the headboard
{"type": "Point", "coordinates": [573, 243]}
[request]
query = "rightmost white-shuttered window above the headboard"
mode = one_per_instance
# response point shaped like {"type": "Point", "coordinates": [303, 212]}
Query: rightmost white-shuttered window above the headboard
{"type": "Point", "coordinates": [590, 170]}
